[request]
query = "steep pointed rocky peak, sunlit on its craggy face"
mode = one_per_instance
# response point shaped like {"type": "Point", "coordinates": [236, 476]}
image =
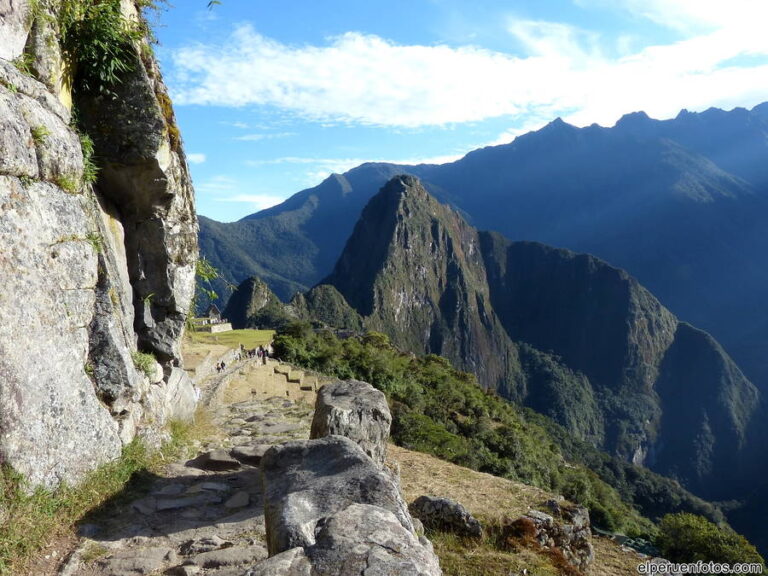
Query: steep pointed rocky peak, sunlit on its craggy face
{"type": "Point", "coordinates": [414, 269]}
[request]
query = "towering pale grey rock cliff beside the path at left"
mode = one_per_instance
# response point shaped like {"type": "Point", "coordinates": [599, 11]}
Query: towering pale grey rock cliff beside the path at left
{"type": "Point", "coordinates": [93, 272]}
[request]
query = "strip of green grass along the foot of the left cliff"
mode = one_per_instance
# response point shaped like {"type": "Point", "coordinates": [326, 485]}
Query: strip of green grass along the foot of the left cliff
{"type": "Point", "coordinates": [32, 518]}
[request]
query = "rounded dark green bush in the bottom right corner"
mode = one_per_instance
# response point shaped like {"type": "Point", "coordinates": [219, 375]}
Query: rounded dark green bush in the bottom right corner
{"type": "Point", "coordinates": [690, 538]}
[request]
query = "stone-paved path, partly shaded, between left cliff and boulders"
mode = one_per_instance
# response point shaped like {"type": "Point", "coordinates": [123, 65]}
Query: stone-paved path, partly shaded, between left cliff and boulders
{"type": "Point", "coordinates": [205, 516]}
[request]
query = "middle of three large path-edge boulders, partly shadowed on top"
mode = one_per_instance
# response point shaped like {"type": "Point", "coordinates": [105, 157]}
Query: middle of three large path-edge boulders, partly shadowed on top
{"type": "Point", "coordinates": [307, 480]}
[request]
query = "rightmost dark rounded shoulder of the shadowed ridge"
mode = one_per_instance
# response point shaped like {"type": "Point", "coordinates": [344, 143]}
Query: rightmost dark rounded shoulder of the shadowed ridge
{"type": "Point", "coordinates": [708, 409]}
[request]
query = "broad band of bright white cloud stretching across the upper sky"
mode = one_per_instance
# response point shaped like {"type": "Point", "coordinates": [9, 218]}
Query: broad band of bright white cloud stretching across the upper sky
{"type": "Point", "coordinates": [566, 71]}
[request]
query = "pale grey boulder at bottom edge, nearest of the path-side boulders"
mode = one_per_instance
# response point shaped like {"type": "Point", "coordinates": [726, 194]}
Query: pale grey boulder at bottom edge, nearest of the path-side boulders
{"type": "Point", "coordinates": [361, 539]}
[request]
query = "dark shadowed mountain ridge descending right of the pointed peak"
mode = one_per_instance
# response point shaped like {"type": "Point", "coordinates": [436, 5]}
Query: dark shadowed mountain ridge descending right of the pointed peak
{"type": "Point", "coordinates": [668, 393]}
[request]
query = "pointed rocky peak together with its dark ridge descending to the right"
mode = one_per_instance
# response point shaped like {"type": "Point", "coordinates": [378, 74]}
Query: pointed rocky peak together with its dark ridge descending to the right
{"type": "Point", "coordinates": [564, 333]}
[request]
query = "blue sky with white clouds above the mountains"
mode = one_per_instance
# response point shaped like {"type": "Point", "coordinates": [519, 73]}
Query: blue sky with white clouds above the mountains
{"type": "Point", "coordinates": [272, 96]}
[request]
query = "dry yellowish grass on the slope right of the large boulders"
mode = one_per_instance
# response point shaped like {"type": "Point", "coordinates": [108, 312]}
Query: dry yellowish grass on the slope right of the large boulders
{"type": "Point", "coordinates": [491, 499]}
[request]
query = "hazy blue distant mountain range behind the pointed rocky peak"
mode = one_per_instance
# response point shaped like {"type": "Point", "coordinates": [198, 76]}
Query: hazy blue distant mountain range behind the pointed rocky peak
{"type": "Point", "coordinates": [680, 204]}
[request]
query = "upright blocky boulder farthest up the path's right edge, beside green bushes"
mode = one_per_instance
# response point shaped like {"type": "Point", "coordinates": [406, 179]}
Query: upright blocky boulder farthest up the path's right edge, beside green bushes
{"type": "Point", "coordinates": [356, 410]}
